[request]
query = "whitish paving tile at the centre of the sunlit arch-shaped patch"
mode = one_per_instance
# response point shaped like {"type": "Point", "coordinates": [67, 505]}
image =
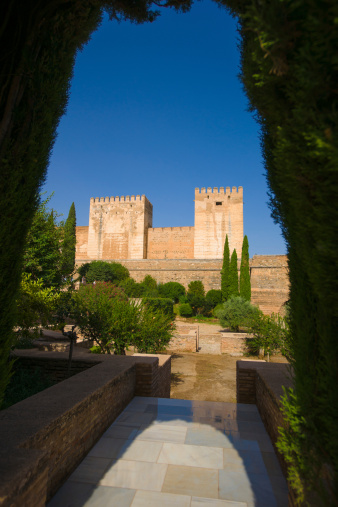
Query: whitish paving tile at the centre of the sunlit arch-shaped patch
{"type": "Point", "coordinates": [191, 455]}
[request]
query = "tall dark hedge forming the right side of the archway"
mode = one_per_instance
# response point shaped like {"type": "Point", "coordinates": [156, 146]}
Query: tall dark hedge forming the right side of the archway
{"type": "Point", "coordinates": [290, 72]}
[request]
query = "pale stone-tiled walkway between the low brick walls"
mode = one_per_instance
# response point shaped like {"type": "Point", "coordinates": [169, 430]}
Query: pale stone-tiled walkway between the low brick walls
{"type": "Point", "coordinates": [170, 452]}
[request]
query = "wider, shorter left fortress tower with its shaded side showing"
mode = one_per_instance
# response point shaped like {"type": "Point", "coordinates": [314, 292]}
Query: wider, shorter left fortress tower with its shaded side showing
{"type": "Point", "coordinates": [118, 227]}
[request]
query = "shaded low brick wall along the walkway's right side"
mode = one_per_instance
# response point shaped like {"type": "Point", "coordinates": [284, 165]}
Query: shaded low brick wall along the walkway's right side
{"type": "Point", "coordinates": [262, 384]}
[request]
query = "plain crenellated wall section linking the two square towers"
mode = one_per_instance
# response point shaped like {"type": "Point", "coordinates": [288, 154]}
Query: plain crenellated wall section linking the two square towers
{"type": "Point", "coordinates": [170, 243]}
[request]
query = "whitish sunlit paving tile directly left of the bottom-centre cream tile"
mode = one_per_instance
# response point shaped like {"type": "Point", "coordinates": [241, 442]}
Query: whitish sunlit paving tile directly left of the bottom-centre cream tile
{"type": "Point", "coordinates": [135, 475]}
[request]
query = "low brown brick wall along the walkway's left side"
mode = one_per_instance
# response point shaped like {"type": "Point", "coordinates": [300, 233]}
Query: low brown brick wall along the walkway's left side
{"type": "Point", "coordinates": [46, 436]}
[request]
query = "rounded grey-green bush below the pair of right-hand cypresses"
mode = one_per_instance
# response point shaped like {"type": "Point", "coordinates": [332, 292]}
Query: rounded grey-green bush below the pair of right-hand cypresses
{"type": "Point", "coordinates": [236, 312]}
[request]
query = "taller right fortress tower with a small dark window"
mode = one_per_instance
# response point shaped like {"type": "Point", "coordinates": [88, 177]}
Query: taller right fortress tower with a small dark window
{"type": "Point", "coordinates": [218, 213]}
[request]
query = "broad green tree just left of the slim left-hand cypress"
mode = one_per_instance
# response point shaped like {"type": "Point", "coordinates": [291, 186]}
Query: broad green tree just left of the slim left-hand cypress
{"type": "Point", "coordinates": [42, 257]}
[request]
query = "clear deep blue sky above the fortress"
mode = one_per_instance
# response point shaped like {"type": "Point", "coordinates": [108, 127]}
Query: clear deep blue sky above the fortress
{"type": "Point", "coordinates": [158, 109]}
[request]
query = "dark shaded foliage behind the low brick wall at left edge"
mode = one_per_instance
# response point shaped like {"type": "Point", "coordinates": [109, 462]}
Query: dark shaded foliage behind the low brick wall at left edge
{"type": "Point", "coordinates": [23, 384]}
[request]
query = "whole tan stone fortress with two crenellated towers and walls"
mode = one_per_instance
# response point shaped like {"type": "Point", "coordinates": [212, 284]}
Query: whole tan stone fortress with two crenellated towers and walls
{"type": "Point", "coordinates": [120, 229]}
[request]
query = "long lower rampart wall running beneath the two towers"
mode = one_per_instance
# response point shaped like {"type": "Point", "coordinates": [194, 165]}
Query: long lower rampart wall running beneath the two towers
{"type": "Point", "coordinates": [269, 279]}
